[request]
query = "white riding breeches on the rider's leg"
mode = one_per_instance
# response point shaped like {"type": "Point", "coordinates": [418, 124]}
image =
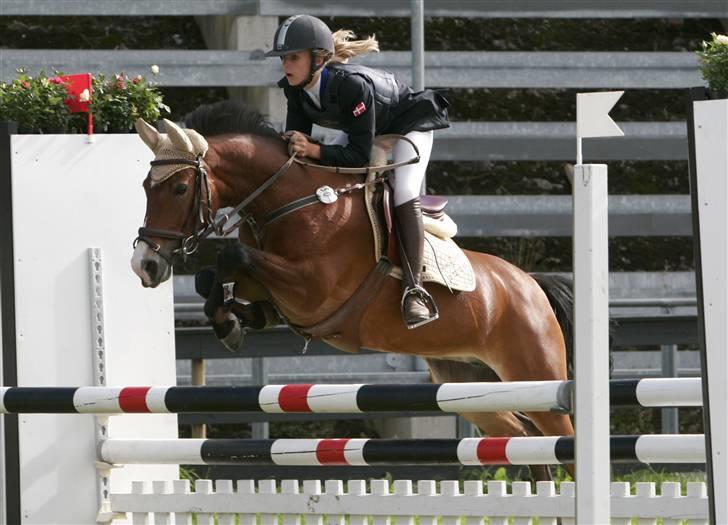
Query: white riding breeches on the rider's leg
{"type": "Point", "coordinates": [407, 180]}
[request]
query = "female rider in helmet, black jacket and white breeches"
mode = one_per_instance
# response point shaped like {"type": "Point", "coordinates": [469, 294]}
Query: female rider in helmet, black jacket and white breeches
{"type": "Point", "coordinates": [362, 102]}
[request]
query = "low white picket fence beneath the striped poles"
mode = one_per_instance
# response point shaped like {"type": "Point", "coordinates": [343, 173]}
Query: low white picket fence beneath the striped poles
{"type": "Point", "coordinates": [172, 502]}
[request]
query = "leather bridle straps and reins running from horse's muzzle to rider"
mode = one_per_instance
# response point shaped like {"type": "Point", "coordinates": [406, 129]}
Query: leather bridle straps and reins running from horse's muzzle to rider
{"type": "Point", "coordinates": [203, 206]}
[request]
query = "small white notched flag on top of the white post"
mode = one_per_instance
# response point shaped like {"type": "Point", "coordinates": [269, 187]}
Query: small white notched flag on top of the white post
{"type": "Point", "coordinates": [592, 117]}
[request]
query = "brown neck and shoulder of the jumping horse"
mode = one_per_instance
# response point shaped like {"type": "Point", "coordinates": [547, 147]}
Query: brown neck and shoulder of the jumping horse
{"type": "Point", "coordinates": [331, 245]}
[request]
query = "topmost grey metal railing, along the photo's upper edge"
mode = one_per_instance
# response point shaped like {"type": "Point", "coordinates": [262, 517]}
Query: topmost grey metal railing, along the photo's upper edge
{"type": "Point", "coordinates": [369, 8]}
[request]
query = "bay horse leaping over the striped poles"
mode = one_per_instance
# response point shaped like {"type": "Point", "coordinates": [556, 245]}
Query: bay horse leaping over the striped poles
{"type": "Point", "coordinates": [312, 260]}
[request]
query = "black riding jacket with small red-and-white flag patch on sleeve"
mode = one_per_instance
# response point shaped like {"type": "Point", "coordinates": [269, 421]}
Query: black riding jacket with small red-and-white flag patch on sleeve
{"type": "Point", "coordinates": [363, 102]}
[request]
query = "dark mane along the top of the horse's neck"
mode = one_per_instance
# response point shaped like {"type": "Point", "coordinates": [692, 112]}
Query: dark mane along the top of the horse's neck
{"type": "Point", "coordinates": [229, 116]}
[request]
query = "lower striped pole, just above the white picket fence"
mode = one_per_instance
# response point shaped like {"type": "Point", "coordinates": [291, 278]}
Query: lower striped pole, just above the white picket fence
{"type": "Point", "coordinates": [357, 452]}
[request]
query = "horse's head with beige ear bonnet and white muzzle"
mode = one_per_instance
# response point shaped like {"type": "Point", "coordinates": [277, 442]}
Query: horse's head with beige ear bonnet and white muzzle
{"type": "Point", "coordinates": [179, 200]}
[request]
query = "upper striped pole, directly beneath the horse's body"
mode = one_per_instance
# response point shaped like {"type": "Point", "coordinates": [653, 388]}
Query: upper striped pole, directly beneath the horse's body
{"type": "Point", "coordinates": [529, 396]}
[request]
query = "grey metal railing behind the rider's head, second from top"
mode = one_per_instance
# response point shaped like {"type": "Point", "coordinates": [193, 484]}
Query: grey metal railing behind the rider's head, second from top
{"type": "Point", "coordinates": [454, 69]}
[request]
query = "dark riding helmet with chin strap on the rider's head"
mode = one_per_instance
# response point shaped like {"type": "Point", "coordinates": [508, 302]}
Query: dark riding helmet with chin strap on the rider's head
{"type": "Point", "coordinates": [301, 32]}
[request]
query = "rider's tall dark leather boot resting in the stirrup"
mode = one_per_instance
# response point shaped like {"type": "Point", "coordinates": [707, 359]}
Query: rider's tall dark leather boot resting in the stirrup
{"type": "Point", "coordinates": [418, 307]}
